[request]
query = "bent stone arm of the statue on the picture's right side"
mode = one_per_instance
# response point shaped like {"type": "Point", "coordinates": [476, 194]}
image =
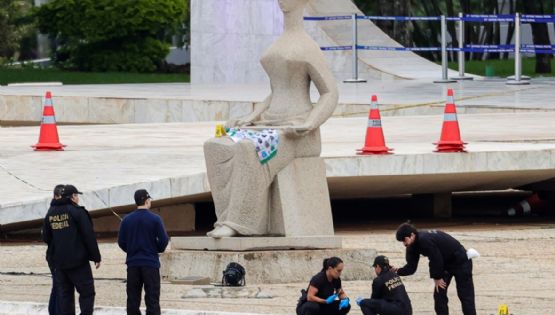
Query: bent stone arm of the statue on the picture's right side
{"type": "Point", "coordinates": [324, 81]}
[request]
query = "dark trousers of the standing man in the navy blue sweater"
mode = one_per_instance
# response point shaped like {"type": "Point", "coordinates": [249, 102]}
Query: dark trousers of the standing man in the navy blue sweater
{"type": "Point", "coordinates": [136, 278]}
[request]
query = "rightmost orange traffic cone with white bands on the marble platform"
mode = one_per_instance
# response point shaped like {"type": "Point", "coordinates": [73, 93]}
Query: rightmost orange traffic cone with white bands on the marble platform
{"type": "Point", "coordinates": [450, 140]}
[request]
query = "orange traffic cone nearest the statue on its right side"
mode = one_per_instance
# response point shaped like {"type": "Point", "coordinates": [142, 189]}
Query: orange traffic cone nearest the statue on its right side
{"type": "Point", "coordinates": [374, 142]}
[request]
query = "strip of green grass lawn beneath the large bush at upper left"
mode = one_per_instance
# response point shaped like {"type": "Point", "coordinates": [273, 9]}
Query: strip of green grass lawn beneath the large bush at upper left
{"type": "Point", "coordinates": [73, 77]}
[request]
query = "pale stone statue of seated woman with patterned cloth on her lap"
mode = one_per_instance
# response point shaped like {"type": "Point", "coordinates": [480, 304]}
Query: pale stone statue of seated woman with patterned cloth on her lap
{"type": "Point", "coordinates": [241, 167]}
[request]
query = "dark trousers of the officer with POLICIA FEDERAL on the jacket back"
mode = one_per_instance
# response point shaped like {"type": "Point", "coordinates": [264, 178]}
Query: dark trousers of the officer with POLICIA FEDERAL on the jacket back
{"type": "Point", "coordinates": [80, 279]}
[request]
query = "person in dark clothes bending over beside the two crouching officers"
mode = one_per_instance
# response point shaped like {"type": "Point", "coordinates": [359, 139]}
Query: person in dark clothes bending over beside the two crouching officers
{"type": "Point", "coordinates": [447, 258]}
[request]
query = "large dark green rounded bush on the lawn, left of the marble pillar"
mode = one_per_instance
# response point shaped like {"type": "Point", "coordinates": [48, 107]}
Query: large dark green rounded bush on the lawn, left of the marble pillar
{"type": "Point", "coordinates": [111, 35]}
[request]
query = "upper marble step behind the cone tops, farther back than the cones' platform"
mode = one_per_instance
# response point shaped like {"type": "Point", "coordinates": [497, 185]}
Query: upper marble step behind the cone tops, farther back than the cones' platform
{"type": "Point", "coordinates": [159, 103]}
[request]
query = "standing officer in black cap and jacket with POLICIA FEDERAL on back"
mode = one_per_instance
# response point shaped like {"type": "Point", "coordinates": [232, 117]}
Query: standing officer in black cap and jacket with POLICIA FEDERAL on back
{"type": "Point", "coordinates": [69, 231]}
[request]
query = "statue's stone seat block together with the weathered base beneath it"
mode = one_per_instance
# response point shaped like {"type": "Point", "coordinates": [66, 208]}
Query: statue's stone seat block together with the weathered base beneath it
{"type": "Point", "coordinates": [301, 211]}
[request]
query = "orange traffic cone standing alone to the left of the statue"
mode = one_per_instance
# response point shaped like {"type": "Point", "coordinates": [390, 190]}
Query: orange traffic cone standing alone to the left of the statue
{"type": "Point", "coordinates": [48, 138]}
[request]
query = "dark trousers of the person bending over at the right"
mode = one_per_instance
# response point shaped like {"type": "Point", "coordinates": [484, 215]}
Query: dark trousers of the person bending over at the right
{"type": "Point", "coordinates": [465, 289]}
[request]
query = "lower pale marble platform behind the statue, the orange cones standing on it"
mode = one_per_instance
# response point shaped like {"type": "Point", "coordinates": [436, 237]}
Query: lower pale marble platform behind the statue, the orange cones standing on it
{"type": "Point", "coordinates": [109, 162]}
